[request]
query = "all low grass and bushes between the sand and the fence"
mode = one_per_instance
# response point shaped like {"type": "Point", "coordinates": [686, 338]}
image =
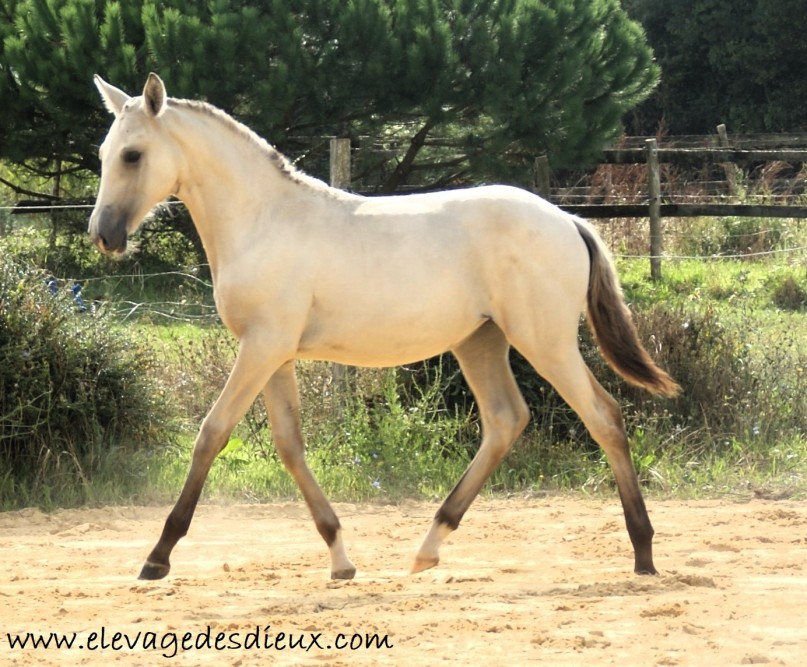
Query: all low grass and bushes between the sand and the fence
{"type": "Point", "coordinates": [731, 331]}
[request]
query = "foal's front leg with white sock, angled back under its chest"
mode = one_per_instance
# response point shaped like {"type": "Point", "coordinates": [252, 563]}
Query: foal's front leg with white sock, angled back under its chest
{"type": "Point", "coordinates": [283, 407]}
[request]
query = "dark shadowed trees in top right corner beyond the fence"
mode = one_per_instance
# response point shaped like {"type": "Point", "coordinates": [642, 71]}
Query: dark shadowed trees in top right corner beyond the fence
{"type": "Point", "coordinates": [739, 62]}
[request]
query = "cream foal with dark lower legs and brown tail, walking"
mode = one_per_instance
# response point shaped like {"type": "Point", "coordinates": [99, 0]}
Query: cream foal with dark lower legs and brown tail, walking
{"type": "Point", "coordinates": [302, 270]}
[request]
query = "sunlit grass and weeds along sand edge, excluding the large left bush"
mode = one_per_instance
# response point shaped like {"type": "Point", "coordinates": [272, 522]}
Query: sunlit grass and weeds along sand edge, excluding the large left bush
{"type": "Point", "coordinates": [732, 331]}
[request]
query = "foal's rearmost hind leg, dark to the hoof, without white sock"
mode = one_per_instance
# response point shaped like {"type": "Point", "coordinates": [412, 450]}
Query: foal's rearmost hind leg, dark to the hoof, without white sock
{"type": "Point", "coordinates": [565, 369]}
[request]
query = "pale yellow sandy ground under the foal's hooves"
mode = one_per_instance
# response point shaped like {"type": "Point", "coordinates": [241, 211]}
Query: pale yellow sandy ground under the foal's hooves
{"type": "Point", "coordinates": [540, 580]}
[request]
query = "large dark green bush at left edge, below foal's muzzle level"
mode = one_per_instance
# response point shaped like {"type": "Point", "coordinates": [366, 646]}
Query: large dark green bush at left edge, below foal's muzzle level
{"type": "Point", "coordinates": [72, 386]}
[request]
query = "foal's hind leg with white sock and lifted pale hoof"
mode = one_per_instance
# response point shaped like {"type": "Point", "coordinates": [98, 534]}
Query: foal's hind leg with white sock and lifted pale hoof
{"type": "Point", "coordinates": [484, 361]}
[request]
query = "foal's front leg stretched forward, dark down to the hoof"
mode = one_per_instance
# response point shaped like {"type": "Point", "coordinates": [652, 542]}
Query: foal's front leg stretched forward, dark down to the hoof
{"type": "Point", "coordinates": [254, 365]}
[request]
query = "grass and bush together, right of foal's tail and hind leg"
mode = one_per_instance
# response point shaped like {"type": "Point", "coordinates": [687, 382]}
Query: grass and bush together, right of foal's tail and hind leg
{"type": "Point", "coordinates": [736, 344]}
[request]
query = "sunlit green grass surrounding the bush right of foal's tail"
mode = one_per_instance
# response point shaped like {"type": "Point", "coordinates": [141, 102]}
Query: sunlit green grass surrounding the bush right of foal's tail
{"type": "Point", "coordinates": [762, 305]}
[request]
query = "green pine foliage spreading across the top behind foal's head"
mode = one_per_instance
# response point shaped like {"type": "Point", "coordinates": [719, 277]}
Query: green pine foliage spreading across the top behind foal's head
{"type": "Point", "coordinates": [503, 80]}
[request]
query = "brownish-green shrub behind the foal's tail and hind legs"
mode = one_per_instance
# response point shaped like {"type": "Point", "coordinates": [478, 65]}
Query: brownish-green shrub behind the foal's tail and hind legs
{"type": "Point", "coordinates": [734, 386]}
